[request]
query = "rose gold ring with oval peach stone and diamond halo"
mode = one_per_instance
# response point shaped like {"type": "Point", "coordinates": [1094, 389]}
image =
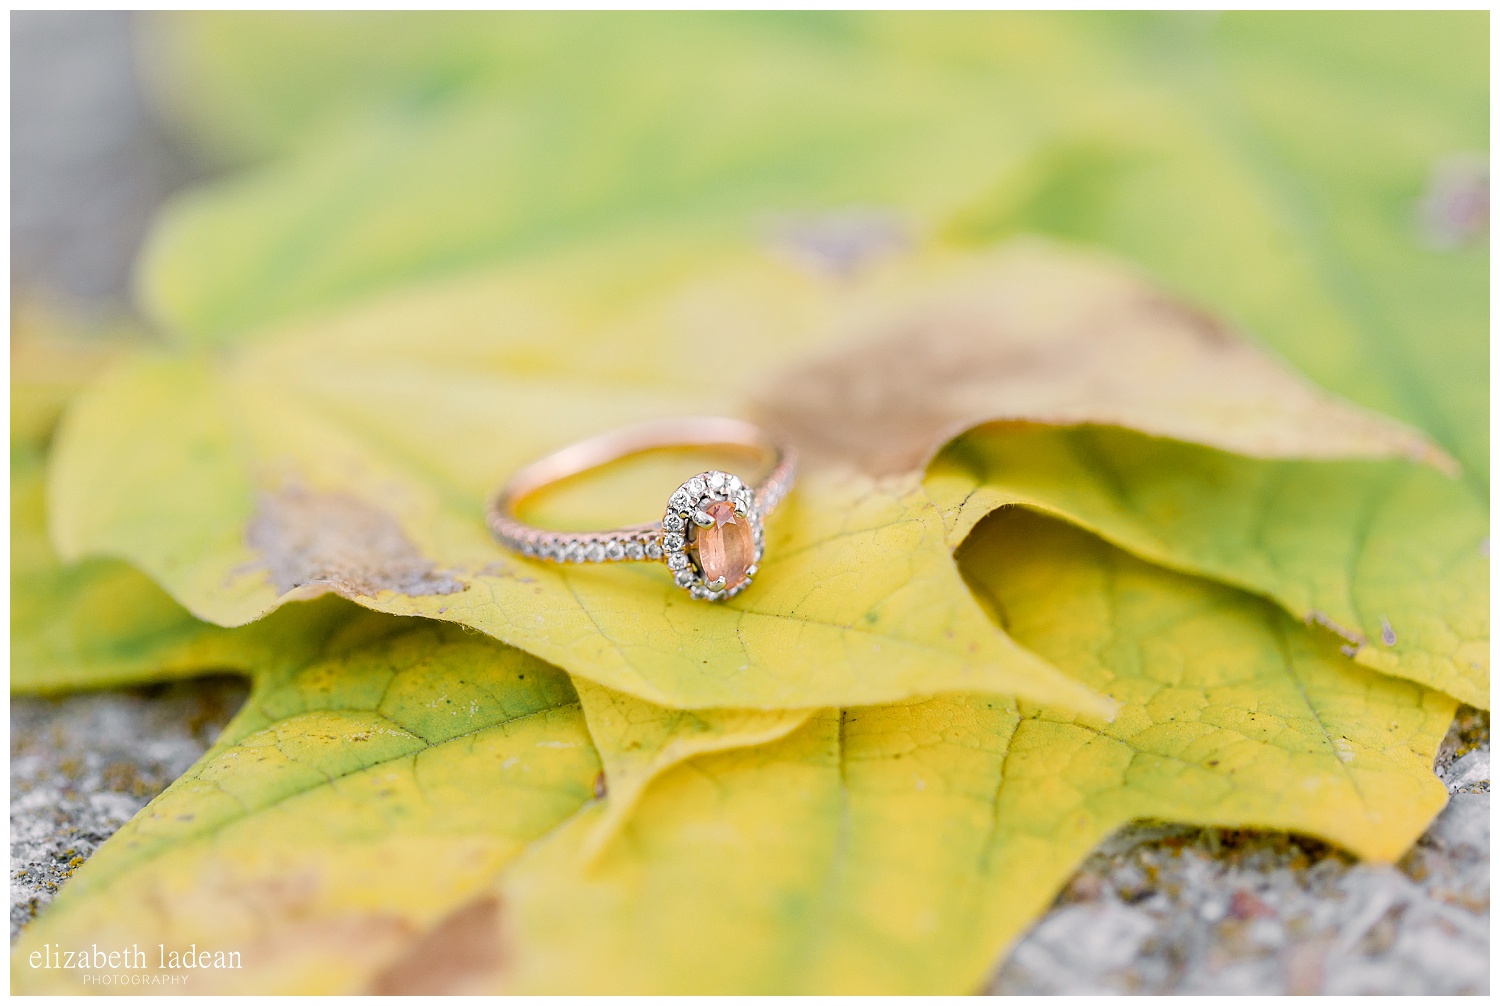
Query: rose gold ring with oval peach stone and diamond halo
{"type": "Point", "coordinates": [712, 534]}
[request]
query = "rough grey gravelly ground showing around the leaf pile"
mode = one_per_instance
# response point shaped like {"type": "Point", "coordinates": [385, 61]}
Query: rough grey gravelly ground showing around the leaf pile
{"type": "Point", "coordinates": [1157, 909]}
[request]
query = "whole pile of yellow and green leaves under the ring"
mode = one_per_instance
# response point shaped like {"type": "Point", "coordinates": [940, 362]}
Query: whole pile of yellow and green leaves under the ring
{"type": "Point", "coordinates": [1070, 546]}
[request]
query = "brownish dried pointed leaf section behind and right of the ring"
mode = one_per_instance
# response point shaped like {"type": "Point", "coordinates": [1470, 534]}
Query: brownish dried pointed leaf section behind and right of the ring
{"type": "Point", "coordinates": [1033, 334]}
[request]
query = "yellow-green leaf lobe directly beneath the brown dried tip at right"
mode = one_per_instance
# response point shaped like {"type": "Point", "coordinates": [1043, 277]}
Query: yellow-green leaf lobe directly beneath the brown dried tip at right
{"type": "Point", "coordinates": [1393, 558]}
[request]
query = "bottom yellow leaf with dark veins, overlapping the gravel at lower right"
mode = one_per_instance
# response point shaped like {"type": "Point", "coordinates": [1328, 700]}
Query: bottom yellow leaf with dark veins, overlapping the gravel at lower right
{"type": "Point", "coordinates": [902, 849]}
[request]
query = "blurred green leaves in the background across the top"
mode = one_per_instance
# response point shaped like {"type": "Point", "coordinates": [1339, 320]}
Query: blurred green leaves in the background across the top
{"type": "Point", "coordinates": [1318, 178]}
